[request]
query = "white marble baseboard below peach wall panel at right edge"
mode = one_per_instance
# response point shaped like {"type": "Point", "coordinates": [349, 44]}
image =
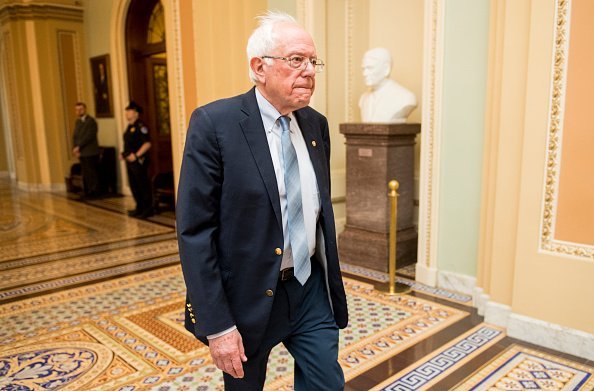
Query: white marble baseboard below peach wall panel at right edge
{"type": "Point", "coordinates": [551, 335]}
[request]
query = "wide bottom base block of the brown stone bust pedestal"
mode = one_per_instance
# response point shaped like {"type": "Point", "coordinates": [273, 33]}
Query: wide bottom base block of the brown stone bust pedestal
{"type": "Point", "coordinates": [371, 249]}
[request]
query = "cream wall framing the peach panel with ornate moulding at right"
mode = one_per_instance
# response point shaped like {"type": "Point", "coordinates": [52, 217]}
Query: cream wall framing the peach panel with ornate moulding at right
{"type": "Point", "coordinates": [514, 270]}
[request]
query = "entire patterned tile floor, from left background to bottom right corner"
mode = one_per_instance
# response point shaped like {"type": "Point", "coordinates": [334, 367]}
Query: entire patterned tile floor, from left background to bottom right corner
{"type": "Point", "coordinates": [92, 299]}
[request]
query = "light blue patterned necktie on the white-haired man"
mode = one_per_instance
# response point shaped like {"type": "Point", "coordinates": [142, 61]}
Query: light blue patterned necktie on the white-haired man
{"type": "Point", "coordinates": [296, 223]}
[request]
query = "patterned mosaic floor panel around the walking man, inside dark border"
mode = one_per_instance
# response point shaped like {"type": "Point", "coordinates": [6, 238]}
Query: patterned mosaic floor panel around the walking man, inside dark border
{"type": "Point", "coordinates": [142, 314]}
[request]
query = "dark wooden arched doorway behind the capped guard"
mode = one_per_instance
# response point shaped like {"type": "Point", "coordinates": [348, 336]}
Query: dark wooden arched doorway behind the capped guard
{"type": "Point", "coordinates": [146, 58]}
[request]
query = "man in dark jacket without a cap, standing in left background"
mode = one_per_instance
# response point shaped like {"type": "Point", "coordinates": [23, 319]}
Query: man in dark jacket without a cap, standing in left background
{"type": "Point", "coordinates": [86, 149]}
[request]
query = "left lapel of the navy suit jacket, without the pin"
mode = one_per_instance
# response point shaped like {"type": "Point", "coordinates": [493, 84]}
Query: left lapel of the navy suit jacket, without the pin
{"type": "Point", "coordinates": [255, 135]}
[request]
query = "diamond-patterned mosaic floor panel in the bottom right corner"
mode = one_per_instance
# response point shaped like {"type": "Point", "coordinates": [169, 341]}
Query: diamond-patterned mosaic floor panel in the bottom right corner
{"type": "Point", "coordinates": [519, 368]}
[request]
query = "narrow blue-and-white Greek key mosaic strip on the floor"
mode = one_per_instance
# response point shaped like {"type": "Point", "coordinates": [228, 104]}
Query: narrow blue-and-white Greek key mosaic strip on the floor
{"type": "Point", "coordinates": [436, 366]}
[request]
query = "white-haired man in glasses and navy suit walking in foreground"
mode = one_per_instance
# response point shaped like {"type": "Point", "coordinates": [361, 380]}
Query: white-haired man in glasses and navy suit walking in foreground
{"type": "Point", "coordinates": [255, 222]}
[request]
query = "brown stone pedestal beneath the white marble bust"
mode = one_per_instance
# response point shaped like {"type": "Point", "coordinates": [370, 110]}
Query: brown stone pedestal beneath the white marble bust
{"type": "Point", "coordinates": [376, 154]}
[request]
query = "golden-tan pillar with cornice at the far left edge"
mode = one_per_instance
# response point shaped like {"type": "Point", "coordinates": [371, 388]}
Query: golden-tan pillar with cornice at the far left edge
{"type": "Point", "coordinates": [39, 67]}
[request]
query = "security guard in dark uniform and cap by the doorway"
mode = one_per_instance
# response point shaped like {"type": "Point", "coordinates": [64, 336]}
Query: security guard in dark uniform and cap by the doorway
{"type": "Point", "coordinates": [136, 146]}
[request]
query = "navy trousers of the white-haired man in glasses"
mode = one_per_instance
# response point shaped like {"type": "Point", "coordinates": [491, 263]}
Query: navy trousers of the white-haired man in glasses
{"type": "Point", "coordinates": [302, 320]}
